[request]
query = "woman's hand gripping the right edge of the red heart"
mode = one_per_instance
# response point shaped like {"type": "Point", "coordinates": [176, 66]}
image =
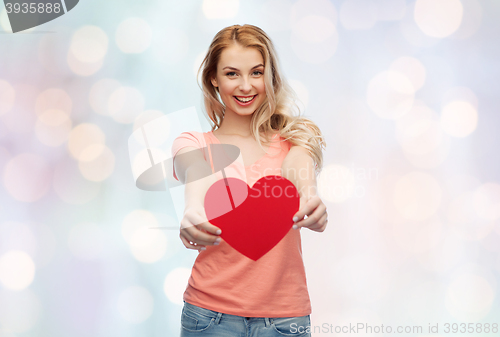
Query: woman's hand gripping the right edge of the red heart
{"type": "Point", "coordinates": [315, 210]}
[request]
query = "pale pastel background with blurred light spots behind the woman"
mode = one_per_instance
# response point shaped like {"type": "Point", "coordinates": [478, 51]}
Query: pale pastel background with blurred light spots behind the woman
{"type": "Point", "coordinates": [405, 92]}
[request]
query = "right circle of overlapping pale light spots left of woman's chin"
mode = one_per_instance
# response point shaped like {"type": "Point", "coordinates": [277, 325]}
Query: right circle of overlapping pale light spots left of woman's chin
{"type": "Point", "coordinates": [125, 104]}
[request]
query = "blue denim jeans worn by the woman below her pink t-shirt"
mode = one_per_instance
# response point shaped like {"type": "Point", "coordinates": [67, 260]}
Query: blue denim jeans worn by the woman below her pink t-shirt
{"type": "Point", "coordinates": [196, 321]}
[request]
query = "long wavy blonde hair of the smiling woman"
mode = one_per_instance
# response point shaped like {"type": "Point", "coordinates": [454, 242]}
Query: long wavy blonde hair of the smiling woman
{"type": "Point", "coordinates": [275, 112]}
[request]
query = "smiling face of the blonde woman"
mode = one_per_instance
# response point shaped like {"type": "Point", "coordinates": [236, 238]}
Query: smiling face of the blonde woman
{"type": "Point", "coordinates": [240, 77]}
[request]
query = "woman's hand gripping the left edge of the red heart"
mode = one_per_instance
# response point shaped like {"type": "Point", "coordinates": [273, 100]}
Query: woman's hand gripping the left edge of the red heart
{"type": "Point", "coordinates": [196, 232]}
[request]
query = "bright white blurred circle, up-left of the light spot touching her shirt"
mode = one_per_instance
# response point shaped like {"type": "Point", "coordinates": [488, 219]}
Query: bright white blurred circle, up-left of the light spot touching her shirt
{"type": "Point", "coordinates": [148, 245]}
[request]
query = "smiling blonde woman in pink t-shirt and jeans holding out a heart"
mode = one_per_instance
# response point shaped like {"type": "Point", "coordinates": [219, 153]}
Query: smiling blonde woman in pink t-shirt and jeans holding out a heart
{"type": "Point", "coordinates": [249, 103]}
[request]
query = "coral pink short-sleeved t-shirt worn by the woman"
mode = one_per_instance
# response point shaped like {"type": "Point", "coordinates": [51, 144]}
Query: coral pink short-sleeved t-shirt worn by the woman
{"type": "Point", "coordinates": [224, 280]}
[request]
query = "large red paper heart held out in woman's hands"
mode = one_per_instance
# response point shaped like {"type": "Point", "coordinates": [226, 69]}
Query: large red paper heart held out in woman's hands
{"type": "Point", "coordinates": [252, 220]}
